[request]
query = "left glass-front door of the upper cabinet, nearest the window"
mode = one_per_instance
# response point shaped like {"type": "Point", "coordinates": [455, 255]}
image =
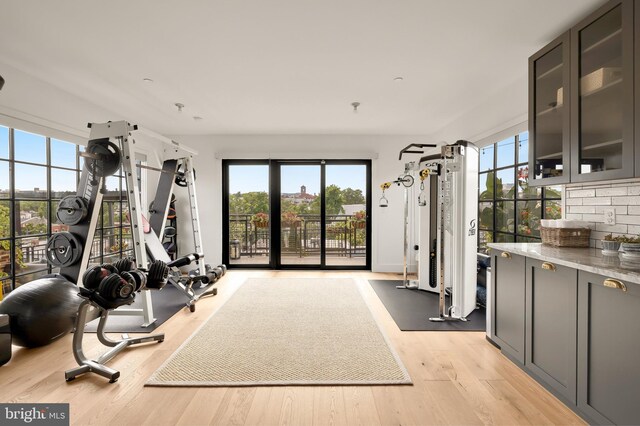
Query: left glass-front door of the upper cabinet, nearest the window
{"type": "Point", "coordinates": [549, 118]}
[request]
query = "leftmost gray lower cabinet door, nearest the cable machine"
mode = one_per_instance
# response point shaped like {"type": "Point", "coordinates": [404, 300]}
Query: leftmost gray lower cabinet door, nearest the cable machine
{"type": "Point", "coordinates": [508, 278]}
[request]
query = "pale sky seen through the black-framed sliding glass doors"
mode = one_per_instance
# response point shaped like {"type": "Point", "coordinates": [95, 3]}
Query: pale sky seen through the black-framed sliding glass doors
{"type": "Point", "coordinates": [252, 178]}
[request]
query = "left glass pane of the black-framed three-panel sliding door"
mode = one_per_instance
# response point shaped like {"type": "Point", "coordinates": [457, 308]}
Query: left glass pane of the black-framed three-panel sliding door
{"type": "Point", "coordinates": [249, 214]}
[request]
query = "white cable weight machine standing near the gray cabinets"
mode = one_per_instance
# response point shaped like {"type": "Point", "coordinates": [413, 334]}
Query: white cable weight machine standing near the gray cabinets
{"type": "Point", "coordinates": [447, 219]}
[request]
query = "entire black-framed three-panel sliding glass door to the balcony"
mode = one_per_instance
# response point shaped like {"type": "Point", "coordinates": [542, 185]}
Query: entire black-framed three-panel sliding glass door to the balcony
{"type": "Point", "coordinates": [286, 214]}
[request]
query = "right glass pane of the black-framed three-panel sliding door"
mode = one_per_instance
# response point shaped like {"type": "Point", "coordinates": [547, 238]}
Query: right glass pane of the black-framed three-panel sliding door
{"type": "Point", "coordinates": [346, 214]}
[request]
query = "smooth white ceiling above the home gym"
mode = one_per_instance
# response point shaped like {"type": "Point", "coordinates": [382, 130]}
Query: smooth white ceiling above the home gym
{"type": "Point", "coordinates": [282, 66]}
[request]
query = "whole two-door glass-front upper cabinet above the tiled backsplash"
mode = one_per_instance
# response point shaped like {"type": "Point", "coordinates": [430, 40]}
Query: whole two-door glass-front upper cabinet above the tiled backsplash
{"type": "Point", "coordinates": [584, 100]}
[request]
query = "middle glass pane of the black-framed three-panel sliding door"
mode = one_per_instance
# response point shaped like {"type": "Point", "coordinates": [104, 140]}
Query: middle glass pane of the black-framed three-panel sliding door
{"type": "Point", "coordinates": [300, 214]}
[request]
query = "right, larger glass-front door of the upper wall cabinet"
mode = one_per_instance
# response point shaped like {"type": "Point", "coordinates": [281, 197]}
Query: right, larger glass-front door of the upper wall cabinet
{"type": "Point", "coordinates": [602, 94]}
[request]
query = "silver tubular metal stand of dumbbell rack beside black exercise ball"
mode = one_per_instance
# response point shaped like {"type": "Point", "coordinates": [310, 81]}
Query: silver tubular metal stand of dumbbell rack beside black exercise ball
{"type": "Point", "coordinates": [97, 366]}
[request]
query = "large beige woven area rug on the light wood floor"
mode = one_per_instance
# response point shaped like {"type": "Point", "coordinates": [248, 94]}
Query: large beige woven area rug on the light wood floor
{"type": "Point", "coordinates": [283, 331]}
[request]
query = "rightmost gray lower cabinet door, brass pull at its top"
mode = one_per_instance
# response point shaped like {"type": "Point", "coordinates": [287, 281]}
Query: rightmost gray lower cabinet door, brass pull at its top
{"type": "Point", "coordinates": [608, 349]}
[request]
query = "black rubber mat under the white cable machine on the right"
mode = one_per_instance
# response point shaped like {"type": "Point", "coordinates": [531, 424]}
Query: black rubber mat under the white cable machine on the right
{"type": "Point", "coordinates": [411, 309]}
